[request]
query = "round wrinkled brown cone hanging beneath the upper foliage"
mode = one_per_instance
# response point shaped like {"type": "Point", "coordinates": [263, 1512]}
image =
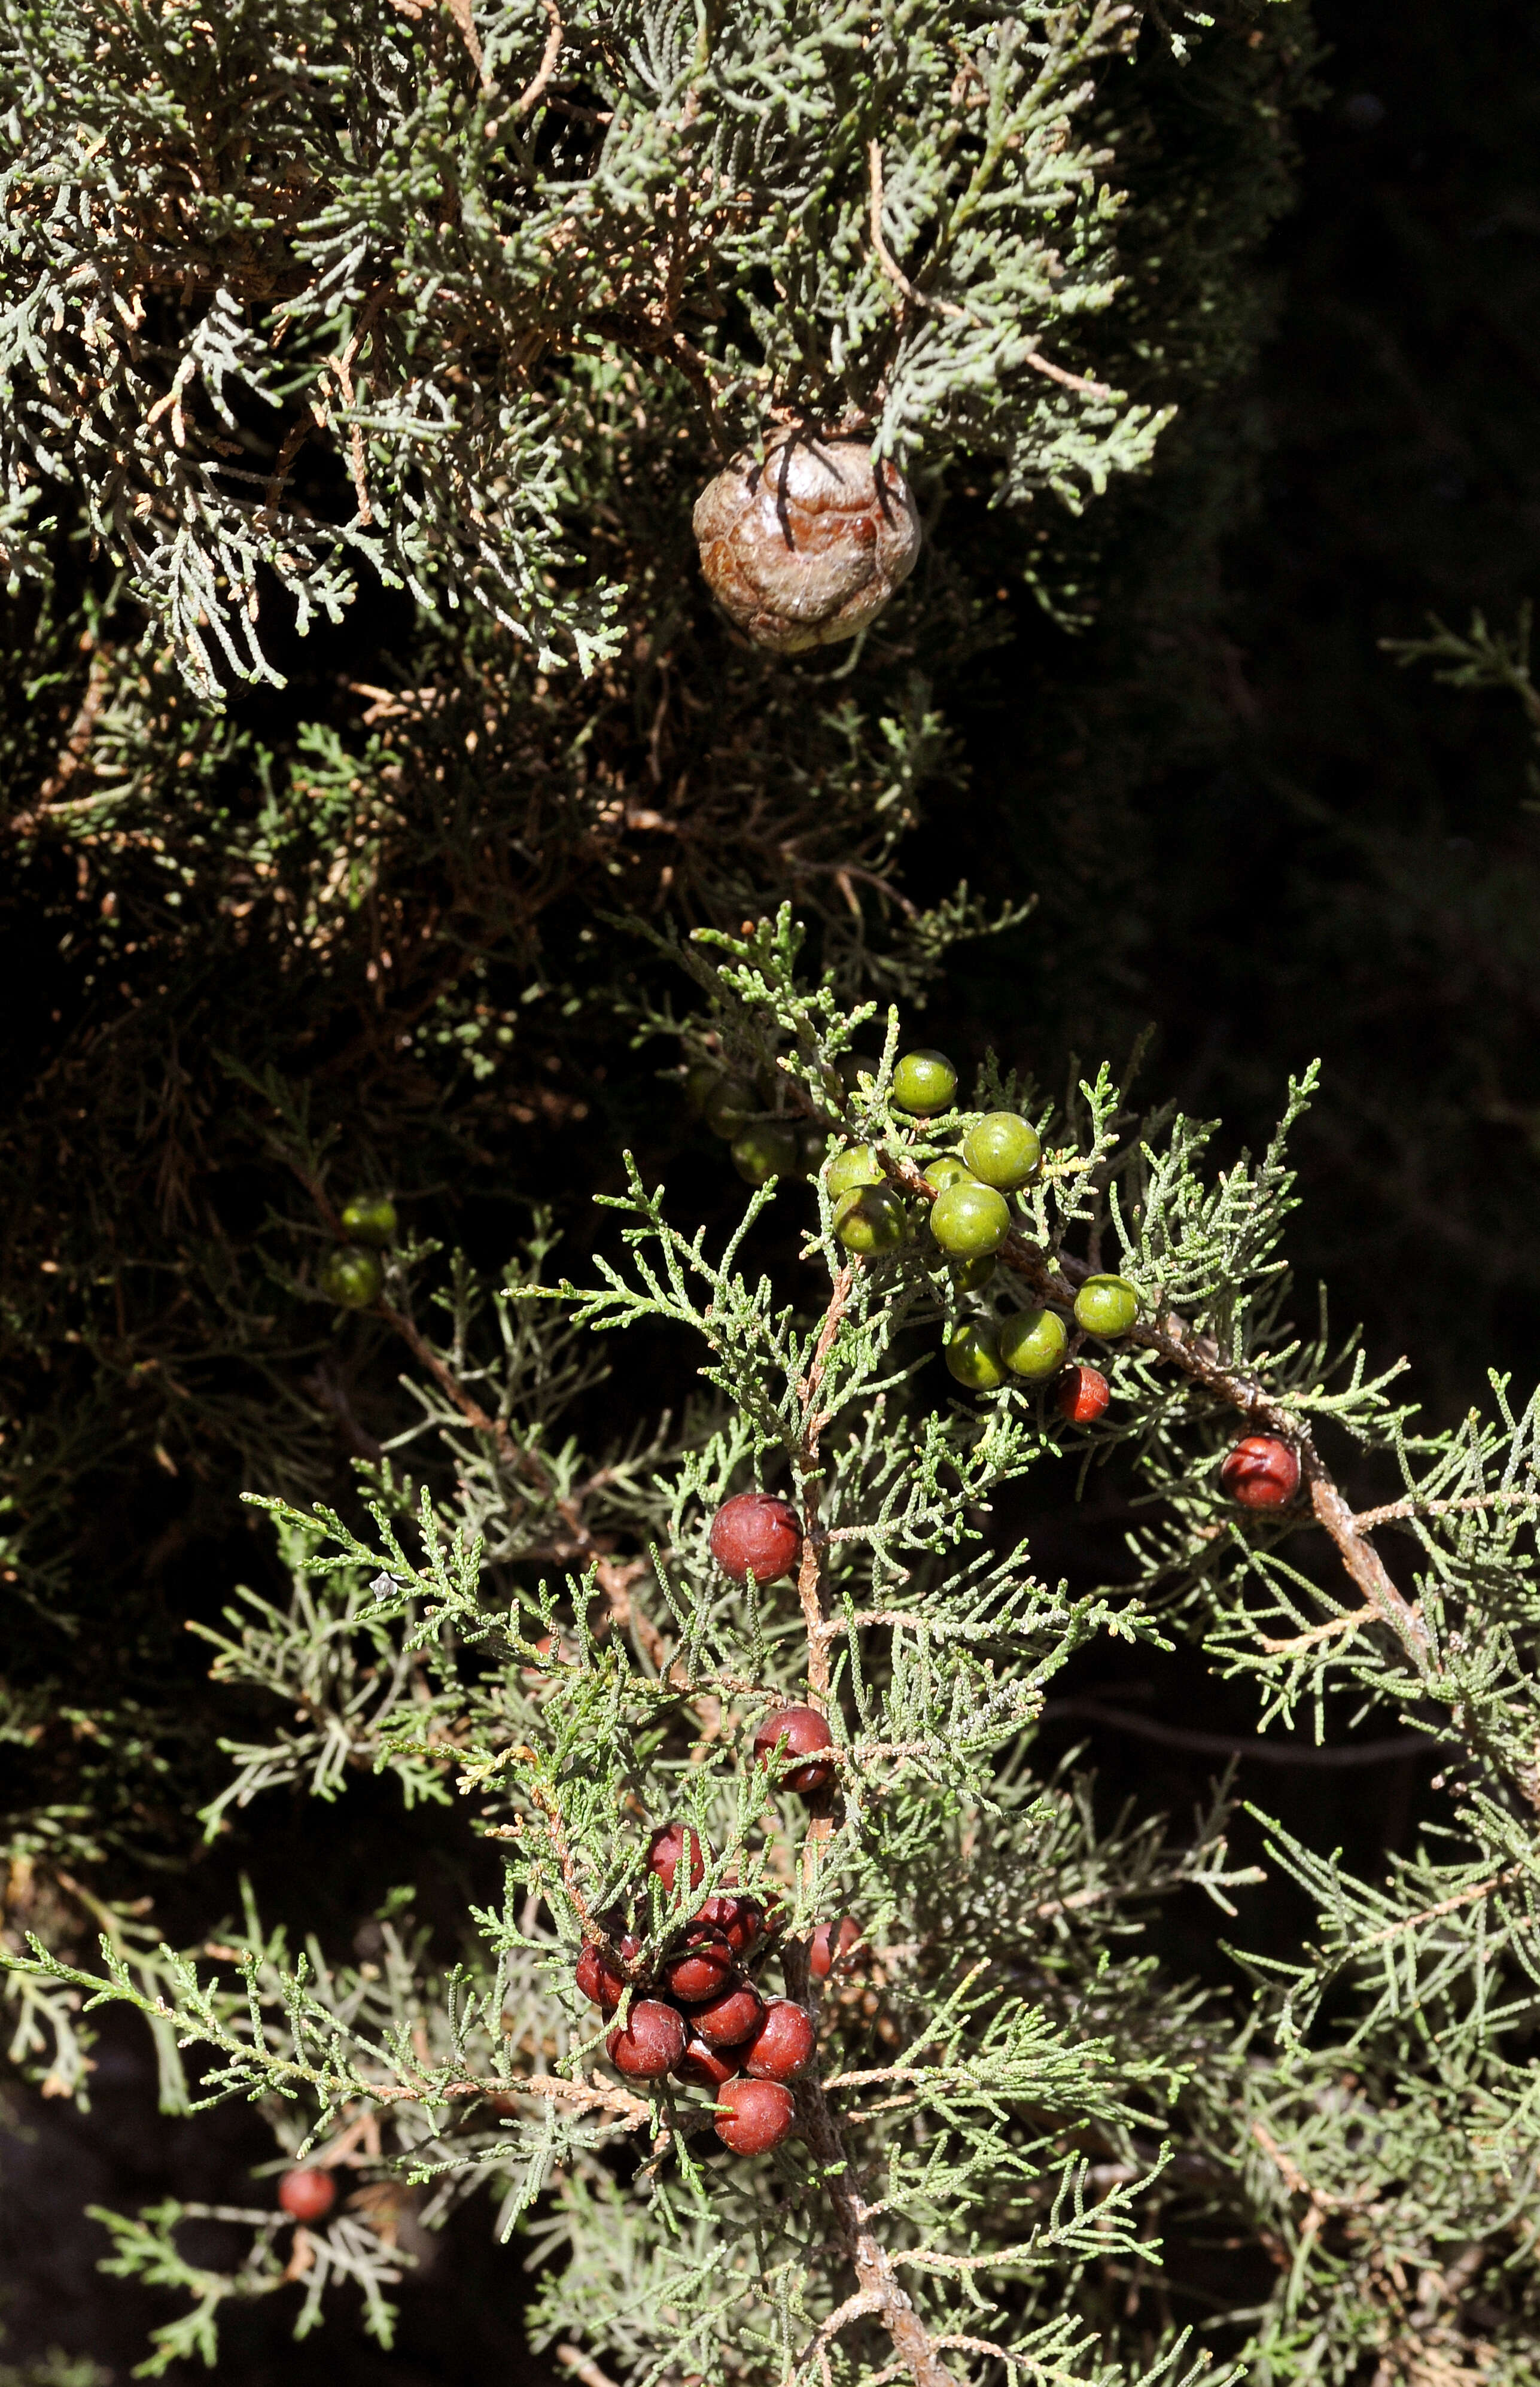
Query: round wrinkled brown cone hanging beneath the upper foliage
{"type": "Point", "coordinates": [806, 545]}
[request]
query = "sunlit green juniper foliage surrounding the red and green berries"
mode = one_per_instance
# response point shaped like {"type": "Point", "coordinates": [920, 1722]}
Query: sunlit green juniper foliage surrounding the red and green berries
{"type": "Point", "coordinates": [1025, 2126]}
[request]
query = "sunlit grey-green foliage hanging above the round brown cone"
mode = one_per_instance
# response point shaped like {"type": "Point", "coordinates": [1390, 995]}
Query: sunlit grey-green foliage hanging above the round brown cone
{"type": "Point", "coordinates": [405, 240]}
